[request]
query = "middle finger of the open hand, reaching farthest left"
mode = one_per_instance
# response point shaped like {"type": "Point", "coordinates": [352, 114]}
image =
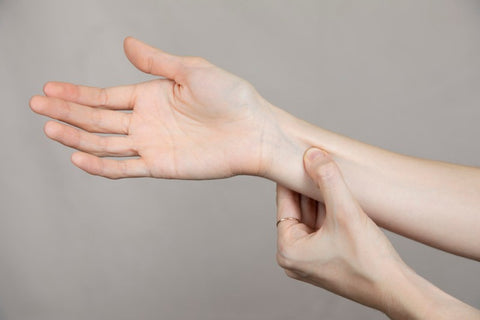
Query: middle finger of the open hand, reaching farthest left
{"type": "Point", "coordinates": [90, 119]}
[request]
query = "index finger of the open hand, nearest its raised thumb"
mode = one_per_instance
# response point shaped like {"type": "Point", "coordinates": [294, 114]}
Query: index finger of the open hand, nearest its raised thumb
{"type": "Point", "coordinates": [115, 98]}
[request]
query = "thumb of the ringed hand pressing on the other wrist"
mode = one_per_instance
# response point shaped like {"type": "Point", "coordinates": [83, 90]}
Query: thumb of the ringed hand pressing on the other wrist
{"type": "Point", "coordinates": [327, 176]}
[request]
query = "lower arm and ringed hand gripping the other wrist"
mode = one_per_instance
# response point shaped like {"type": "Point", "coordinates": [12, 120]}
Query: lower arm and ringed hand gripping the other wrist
{"type": "Point", "coordinates": [336, 246]}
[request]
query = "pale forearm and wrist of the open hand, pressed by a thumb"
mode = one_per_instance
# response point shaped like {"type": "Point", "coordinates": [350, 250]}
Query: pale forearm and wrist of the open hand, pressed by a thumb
{"type": "Point", "coordinates": [416, 198]}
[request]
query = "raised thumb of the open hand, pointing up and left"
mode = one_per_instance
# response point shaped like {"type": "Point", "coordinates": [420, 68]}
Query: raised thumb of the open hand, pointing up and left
{"type": "Point", "coordinates": [152, 60]}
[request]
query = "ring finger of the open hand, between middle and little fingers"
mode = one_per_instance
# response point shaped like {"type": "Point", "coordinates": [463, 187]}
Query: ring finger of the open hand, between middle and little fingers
{"type": "Point", "coordinates": [88, 142]}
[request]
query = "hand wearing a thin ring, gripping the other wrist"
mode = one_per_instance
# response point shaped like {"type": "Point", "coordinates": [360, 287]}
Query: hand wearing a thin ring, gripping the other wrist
{"type": "Point", "coordinates": [335, 246]}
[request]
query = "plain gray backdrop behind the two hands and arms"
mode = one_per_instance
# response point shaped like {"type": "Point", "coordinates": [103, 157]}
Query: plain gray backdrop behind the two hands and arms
{"type": "Point", "coordinates": [404, 75]}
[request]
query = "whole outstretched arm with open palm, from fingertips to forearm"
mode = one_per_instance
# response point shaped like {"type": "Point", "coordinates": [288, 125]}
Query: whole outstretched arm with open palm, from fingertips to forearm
{"type": "Point", "coordinates": [201, 122]}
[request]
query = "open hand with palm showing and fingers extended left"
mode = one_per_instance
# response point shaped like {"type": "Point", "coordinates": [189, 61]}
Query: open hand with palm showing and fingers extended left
{"type": "Point", "coordinates": [201, 122]}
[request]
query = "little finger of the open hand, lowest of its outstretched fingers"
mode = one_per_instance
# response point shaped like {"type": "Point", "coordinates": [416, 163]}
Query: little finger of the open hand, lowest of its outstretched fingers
{"type": "Point", "coordinates": [108, 168]}
